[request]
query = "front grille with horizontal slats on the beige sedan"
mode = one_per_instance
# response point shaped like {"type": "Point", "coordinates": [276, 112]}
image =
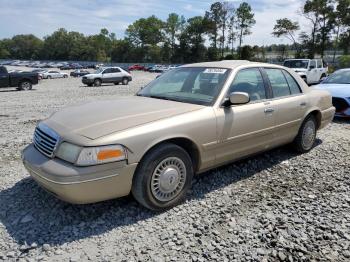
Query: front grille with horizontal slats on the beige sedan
{"type": "Point", "coordinates": [45, 140]}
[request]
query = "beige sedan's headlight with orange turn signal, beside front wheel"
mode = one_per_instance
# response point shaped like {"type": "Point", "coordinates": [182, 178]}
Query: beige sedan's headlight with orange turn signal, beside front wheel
{"type": "Point", "coordinates": [99, 155]}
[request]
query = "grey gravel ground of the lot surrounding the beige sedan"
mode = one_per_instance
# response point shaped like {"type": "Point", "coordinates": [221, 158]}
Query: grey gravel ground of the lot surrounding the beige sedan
{"type": "Point", "coordinates": [277, 206]}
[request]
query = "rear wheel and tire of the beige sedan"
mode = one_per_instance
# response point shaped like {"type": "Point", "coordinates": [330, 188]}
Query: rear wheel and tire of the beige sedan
{"type": "Point", "coordinates": [305, 139]}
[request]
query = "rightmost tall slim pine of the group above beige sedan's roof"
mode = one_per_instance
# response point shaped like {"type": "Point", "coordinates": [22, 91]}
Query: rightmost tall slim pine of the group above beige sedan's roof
{"type": "Point", "coordinates": [244, 21]}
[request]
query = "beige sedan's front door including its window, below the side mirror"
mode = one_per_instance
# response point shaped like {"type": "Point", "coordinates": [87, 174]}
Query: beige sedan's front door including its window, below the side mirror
{"type": "Point", "coordinates": [245, 129]}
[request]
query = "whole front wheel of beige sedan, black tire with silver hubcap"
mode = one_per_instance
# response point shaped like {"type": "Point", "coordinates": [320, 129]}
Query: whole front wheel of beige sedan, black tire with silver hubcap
{"type": "Point", "coordinates": [168, 163]}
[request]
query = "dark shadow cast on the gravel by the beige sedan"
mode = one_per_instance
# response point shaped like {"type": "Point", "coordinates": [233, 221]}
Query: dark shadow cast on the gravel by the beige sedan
{"type": "Point", "coordinates": [31, 215]}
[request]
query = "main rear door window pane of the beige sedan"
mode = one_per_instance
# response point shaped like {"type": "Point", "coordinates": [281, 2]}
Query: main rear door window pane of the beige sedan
{"type": "Point", "coordinates": [278, 82]}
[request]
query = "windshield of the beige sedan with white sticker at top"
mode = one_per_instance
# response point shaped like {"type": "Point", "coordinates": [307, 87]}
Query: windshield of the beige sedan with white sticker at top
{"type": "Point", "coordinates": [196, 85]}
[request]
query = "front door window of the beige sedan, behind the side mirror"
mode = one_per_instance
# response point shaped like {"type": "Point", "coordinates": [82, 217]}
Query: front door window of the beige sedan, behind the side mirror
{"type": "Point", "coordinates": [251, 82]}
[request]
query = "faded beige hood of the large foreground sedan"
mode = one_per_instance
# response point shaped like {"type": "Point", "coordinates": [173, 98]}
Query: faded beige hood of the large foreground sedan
{"type": "Point", "coordinates": [100, 118]}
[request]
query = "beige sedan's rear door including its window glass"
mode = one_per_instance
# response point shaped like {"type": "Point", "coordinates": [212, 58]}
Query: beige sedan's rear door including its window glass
{"type": "Point", "coordinates": [289, 104]}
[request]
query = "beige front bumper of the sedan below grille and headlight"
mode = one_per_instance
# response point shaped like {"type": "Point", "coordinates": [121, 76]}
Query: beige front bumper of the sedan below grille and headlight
{"type": "Point", "coordinates": [78, 185]}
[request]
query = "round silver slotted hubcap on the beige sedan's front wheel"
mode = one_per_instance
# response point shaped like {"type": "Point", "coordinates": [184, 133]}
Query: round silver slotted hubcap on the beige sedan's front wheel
{"type": "Point", "coordinates": [168, 179]}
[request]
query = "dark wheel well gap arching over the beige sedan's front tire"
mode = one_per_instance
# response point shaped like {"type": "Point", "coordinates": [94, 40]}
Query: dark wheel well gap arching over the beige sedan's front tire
{"type": "Point", "coordinates": [188, 145]}
